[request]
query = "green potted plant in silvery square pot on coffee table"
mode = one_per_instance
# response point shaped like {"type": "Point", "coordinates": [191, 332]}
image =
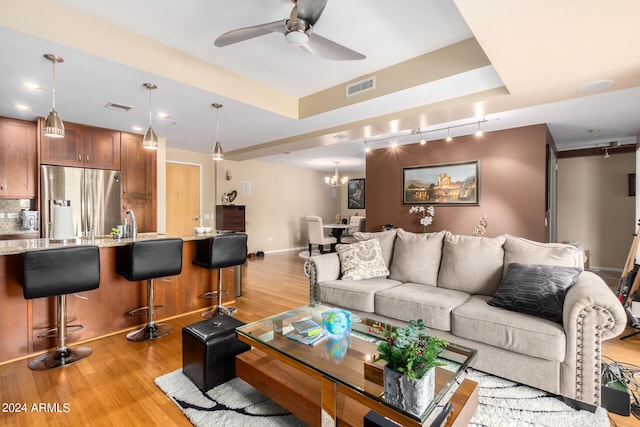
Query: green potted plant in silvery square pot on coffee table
{"type": "Point", "coordinates": [411, 356]}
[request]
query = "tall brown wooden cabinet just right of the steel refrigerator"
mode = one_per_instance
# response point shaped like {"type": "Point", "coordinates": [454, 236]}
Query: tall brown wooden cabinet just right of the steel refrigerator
{"type": "Point", "coordinates": [139, 189]}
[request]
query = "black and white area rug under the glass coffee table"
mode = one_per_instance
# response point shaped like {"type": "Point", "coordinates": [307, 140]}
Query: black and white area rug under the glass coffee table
{"type": "Point", "coordinates": [502, 403]}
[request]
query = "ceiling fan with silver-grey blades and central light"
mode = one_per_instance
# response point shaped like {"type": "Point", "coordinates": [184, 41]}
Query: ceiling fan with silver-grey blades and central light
{"type": "Point", "coordinates": [298, 30]}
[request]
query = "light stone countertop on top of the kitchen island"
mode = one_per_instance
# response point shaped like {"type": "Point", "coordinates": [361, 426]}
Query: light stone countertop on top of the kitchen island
{"type": "Point", "coordinates": [13, 247]}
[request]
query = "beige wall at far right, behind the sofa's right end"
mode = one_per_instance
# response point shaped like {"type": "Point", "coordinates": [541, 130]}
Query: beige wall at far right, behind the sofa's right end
{"type": "Point", "coordinates": [594, 208]}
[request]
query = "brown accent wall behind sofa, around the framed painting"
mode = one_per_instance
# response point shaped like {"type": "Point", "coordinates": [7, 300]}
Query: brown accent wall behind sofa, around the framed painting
{"type": "Point", "coordinates": [511, 183]}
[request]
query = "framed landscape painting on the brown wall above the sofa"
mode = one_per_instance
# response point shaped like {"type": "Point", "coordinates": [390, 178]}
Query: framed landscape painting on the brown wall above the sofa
{"type": "Point", "coordinates": [441, 184]}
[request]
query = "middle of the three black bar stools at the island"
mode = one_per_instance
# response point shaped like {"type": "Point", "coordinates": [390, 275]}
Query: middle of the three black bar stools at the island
{"type": "Point", "coordinates": [148, 260]}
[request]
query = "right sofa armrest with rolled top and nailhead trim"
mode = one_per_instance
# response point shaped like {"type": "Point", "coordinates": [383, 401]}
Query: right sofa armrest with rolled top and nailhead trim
{"type": "Point", "coordinates": [591, 314]}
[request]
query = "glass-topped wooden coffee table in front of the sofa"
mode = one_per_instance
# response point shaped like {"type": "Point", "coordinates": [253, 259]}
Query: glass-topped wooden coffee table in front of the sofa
{"type": "Point", "coordinates": [335, 379]}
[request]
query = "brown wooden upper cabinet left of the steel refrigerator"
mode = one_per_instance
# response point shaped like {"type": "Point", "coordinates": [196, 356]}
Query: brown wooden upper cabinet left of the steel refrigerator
{"type": "Point", "coordinates": [18, 163]}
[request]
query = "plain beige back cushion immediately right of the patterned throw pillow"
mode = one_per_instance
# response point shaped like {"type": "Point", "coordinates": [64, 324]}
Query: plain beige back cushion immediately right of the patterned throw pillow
{"type": "Point", "coordinates": [416, 257]}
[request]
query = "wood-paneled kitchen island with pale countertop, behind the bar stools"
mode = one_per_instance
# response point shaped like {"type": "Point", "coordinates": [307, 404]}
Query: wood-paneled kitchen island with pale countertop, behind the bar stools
{"type": "Point", "coordinates": [104, 311]}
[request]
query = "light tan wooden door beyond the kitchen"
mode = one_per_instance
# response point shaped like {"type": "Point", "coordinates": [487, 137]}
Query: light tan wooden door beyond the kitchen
{"type": "Point", "coordinates": [183, 198]}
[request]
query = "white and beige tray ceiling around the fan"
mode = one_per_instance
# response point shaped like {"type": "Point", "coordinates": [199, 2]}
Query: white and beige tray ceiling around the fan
{"type": "Point", "coordinates": [540, 53]}
